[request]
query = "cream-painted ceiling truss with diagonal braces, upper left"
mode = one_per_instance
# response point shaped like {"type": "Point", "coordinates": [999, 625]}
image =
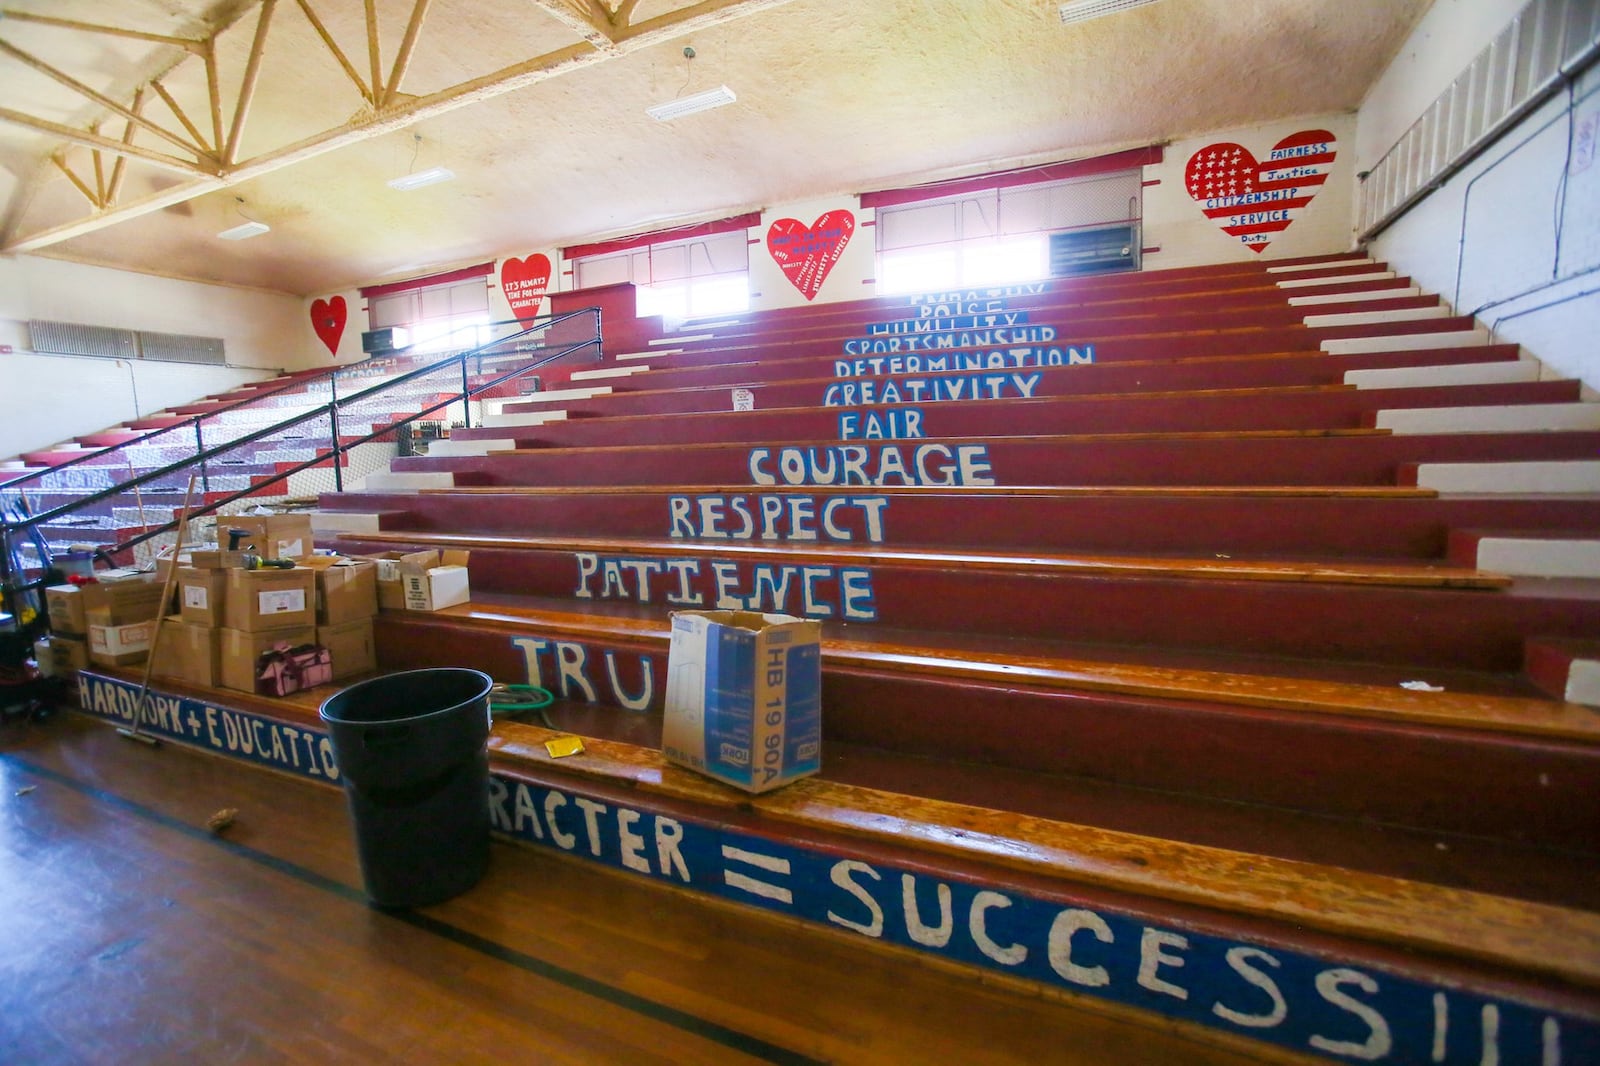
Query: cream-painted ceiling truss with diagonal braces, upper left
{"type": "Point", "coordinates": [210, 162]}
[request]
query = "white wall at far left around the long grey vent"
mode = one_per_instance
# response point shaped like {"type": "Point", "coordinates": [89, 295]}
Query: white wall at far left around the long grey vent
{"type": "Point", "coordinates": [68, 398]}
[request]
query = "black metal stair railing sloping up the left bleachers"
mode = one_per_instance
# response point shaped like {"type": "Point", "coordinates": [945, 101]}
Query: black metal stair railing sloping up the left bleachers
{"type": "Point", "coordinates": [386, 409]}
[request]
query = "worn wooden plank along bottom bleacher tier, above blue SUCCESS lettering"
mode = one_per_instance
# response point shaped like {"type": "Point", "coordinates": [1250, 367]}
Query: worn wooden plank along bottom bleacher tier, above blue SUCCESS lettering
{"type": "Point", "coordinates": [1326, 900]}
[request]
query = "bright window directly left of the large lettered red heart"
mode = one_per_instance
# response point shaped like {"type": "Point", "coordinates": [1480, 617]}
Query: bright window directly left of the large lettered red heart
{"type": "Point", "coordinates": [679, 279]}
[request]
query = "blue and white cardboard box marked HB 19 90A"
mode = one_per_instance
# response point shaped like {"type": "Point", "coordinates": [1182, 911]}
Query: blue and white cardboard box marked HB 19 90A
{"type": "Point", "coordinates": [745, 697]}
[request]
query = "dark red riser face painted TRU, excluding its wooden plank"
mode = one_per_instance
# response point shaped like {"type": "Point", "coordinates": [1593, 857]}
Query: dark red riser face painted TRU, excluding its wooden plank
{"type": "Point", "coordinates": [1153, 743]}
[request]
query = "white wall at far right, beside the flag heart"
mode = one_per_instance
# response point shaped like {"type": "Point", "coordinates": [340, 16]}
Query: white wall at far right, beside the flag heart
{"type": "Point", "coordinates": [1514, 238]}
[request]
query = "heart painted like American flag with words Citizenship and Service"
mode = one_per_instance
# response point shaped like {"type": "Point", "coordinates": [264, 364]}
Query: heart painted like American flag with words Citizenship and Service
{"type": "Point", "coordinates": [1252, 199]}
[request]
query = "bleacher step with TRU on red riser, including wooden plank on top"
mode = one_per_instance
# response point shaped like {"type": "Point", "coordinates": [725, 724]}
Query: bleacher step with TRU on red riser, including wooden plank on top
{"type": "Point", "coordinates": [1119, 715]}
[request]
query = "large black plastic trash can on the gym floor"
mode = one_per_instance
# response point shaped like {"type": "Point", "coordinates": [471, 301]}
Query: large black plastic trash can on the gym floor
{"type": "Point", "coordinates": [414, 755]}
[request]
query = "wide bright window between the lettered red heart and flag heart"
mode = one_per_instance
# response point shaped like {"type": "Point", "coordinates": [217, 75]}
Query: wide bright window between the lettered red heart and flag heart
{"type": "Point", "coordinates": [996, 236]}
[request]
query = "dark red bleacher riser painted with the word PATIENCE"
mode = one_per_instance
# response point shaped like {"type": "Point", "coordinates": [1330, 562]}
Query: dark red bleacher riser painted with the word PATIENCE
{"type": "Point", "coordinates": [1426, 628]}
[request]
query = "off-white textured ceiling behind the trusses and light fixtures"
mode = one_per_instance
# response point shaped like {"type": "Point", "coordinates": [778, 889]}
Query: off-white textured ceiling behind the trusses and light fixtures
{"type": "Point", "coordinates": [834, 97]}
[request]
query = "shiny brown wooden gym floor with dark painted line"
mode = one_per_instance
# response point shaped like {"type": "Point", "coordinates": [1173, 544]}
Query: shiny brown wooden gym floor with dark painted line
{"type": "Point", "coordinates": [130, 934]}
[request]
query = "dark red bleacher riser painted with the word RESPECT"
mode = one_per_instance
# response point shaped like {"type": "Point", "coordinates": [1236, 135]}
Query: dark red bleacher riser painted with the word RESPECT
{"type": "Point", "coordinates": [1241, 526]}
